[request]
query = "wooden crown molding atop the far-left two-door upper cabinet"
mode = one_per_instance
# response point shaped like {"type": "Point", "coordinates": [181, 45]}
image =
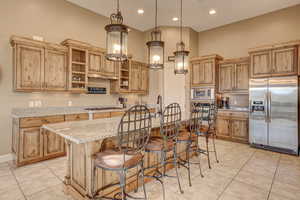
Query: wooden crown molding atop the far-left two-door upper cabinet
{"type": "Point", "coordinates": [14, 40]}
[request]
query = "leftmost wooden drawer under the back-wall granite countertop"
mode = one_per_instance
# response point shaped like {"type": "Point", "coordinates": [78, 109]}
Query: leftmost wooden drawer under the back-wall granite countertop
{"type": "Point", "coordinates": [39, 121]}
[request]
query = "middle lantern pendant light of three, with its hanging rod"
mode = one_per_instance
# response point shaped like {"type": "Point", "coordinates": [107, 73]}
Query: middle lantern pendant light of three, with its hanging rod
{"type": "Point", "coordinates": [156, 47]}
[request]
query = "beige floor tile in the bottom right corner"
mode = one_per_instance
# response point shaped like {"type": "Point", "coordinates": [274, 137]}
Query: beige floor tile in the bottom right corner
{"type": "Point", "coordinates": [286, 190]}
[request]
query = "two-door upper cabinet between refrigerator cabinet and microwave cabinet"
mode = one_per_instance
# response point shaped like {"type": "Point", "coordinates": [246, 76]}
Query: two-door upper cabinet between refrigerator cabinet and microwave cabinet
{"type": "Point", "coordinates": [234, 75]}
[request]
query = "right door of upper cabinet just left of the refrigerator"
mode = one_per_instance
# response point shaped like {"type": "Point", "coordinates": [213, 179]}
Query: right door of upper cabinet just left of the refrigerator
{"type": "Point", "coordinates": [242, 77]}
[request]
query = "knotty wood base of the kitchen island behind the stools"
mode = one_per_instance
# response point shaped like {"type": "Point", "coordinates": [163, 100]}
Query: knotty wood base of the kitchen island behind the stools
{"type": "Point", "coordinates": [79, 181]}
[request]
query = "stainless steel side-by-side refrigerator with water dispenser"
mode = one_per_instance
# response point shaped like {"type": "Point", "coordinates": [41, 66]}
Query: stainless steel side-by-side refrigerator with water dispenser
{"type": "Point", "coordinates": [273, 121]}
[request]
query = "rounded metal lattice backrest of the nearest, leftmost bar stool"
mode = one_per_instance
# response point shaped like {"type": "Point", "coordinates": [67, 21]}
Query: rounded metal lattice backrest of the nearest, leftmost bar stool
{"type": "Point", "coordinates": [134, 129]}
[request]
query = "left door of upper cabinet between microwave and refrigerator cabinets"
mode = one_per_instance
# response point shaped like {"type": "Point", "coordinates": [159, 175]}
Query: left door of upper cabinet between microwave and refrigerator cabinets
{"type": "Point", "coordinates": [226, 77]}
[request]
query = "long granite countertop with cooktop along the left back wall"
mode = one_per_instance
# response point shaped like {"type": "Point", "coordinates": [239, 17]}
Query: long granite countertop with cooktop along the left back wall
{"type": "Point", "coordinates": [50, 111]}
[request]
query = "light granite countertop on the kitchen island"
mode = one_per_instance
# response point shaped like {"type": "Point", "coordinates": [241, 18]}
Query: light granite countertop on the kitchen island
{"type": "Point", "coordinates": [81, 132]}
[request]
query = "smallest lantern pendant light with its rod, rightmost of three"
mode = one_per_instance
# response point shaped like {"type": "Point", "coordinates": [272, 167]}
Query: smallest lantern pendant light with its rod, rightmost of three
{"type": "Point", "coordinates": [181, 55]}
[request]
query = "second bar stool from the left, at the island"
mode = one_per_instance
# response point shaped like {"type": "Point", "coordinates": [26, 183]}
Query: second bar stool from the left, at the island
{"type": "Point", "coordinates": [165, 143]}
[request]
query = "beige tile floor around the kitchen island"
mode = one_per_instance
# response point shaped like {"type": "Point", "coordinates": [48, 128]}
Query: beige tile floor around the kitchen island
{"type": "Point", "coordinates": [243, 173]}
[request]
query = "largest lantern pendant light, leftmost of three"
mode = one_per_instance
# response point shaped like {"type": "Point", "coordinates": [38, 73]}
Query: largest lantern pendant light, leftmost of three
{"type": "Point", "coordinates": [116, 37]}
